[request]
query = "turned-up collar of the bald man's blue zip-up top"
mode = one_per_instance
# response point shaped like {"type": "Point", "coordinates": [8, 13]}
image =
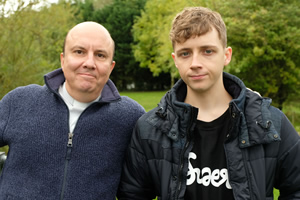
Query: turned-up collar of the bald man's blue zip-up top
{"type": "Point", "coordinates": [54, 79]}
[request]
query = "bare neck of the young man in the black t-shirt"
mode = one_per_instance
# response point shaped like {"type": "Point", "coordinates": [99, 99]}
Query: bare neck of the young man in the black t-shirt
{"type": "Point", "coordinates": [211, 104]}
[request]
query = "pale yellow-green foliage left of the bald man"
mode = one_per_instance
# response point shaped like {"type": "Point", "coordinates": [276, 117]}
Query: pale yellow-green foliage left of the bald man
{"type": "Point", "coordinates": [31, 43]}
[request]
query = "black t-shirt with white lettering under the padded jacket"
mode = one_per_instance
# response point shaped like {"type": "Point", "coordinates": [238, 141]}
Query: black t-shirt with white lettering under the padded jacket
{"type": "Point", "coordinates": [207, 174]}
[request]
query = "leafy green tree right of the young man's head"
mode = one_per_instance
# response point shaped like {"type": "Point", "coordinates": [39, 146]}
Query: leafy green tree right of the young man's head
{"type": "Point", "coordinates": [265, 36]}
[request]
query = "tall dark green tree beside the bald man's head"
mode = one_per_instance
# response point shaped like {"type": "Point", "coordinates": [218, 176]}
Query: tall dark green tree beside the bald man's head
{"type": "Point", "coordinates": [118, 18]}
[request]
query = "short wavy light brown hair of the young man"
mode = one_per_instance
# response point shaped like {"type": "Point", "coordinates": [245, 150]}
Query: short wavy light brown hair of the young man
{"type": "Point", "coordinates": [197, 21]}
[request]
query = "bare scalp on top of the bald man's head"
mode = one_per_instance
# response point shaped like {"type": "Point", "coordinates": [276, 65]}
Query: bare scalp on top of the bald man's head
{"type": "Point", "coordinates": [85, 29]}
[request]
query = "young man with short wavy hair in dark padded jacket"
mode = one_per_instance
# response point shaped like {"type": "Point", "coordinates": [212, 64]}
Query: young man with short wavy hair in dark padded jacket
{"type": "Point", "coordinates": [210, 137]}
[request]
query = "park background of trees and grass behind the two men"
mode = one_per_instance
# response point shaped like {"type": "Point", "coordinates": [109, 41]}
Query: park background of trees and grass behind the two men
{"type": "Point", "coordinates": [264, 35]}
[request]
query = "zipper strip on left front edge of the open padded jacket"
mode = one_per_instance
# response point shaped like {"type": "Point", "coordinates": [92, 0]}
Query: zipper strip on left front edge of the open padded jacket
{"type": "Point", "coordinates": [180, 175]}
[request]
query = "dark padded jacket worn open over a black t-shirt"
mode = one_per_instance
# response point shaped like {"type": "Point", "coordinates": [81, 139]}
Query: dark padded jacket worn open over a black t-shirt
{"type": "Point", "coordinates": [262, 148]}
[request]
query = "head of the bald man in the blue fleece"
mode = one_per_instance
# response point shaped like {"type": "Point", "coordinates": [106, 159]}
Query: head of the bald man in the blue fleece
{"type": "Point", "coordinates": [87, 61]}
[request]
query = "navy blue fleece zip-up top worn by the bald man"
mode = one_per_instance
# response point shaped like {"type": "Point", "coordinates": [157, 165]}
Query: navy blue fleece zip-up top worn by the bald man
{"type": "Point", "coordinates": [44, 163]}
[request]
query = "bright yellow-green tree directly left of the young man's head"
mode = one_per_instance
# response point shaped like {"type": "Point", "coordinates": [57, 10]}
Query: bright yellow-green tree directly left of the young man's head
{"type": "Point", "coordinates": [153, 47]}
